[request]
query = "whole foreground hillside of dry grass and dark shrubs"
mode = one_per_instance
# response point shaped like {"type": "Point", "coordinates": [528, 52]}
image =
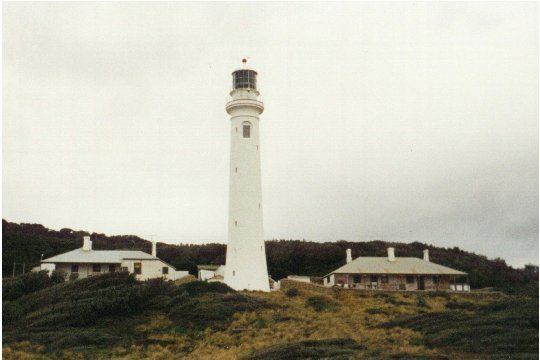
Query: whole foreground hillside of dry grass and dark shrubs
{"type": "Point", "coordinates": [113, 316]}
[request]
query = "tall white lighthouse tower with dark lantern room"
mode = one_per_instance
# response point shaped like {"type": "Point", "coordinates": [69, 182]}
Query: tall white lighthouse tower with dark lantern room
{"type": "Point", "coordinates": [246, 257]}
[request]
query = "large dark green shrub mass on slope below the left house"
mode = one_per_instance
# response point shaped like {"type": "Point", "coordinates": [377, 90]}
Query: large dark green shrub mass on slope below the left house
{"type": "Point", "coordinates": [103, 310]}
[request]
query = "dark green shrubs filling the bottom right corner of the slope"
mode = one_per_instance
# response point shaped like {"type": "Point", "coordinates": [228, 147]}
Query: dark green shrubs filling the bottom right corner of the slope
{"type": "Point", "coordinates": [505, 328]}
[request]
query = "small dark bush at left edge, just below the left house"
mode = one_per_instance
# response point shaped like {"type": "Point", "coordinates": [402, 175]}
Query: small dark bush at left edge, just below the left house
{"type": "Point", "coordinates": [14, 288]}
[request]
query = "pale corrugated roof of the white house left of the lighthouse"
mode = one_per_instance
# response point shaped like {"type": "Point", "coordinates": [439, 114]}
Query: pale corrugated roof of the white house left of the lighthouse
{"type": "Point", "coordinates": [99, 256]}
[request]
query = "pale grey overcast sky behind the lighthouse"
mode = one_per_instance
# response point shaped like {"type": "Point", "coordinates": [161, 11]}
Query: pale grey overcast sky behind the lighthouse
{"type": "Point", "coordinates": [395, 121]}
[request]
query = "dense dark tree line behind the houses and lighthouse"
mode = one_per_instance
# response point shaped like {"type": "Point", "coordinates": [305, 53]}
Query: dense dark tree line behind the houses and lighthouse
{"type": "Point", "coordinates": [24, 243]}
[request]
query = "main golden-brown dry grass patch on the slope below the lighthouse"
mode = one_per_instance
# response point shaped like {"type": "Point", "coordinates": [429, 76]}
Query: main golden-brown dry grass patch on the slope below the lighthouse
{"type": "Point", "coordinates": [292, 321]}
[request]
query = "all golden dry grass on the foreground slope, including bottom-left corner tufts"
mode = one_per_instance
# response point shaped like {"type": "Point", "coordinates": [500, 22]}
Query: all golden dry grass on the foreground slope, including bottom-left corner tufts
{"type": "Point", "coordinates": [358, 317]}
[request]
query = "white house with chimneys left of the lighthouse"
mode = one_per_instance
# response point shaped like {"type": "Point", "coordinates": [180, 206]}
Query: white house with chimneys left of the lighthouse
{"type": "Point", "coordinates": [86, 262]}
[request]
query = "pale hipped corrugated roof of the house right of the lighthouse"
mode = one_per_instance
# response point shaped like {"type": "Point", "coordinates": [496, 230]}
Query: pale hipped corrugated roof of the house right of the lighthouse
{"type": "Point", "coordinates": [401, 265]}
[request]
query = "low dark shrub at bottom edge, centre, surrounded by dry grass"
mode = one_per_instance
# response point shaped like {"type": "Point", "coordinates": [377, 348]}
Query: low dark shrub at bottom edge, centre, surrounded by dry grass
{"type": "Point", "coordinates": [310, 349]}
